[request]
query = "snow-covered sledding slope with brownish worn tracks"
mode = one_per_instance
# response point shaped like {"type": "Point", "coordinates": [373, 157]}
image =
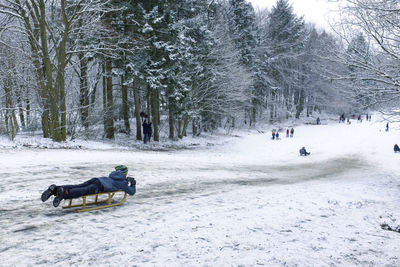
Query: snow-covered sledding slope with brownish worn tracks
{"type": "Point", "coordinates": [252, 201]}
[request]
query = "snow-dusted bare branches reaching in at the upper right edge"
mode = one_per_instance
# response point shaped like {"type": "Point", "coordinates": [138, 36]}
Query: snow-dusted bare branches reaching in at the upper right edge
{"type": "Point", "coordinates": [379, 21]}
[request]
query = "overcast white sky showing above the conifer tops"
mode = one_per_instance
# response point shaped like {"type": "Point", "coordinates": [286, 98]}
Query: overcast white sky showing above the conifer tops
{"type": "Point", "coordinates": [316, 11]}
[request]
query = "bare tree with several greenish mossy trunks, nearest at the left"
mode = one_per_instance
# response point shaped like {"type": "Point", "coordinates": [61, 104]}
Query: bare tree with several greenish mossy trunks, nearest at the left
{"type": "Point", "coordinates": [48, 27]}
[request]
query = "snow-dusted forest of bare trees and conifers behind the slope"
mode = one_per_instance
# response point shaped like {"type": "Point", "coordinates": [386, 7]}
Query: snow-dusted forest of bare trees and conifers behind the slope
{"type": "Point", "coordinates": [78, 68]}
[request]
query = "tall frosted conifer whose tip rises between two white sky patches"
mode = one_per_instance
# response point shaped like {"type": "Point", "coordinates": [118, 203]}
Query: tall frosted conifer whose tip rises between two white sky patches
{"type": "Point", "coordinates": [286, 34]}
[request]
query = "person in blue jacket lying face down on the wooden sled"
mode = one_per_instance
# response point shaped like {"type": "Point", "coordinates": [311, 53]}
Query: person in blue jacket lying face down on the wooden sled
{"type": "Point", "coordinates": [117, 180]}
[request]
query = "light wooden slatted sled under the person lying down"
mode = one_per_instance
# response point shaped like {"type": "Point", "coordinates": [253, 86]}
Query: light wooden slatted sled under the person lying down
{"type": "Point", "coordinates": [97, 200]}
